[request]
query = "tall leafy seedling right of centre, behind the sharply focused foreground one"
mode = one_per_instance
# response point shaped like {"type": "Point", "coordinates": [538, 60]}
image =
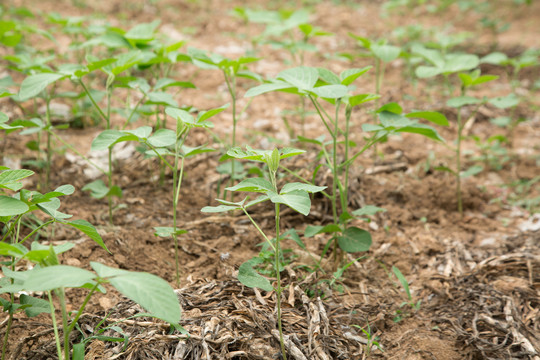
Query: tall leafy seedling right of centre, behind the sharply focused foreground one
{"type": "Point", "coordinates": [323, 85]}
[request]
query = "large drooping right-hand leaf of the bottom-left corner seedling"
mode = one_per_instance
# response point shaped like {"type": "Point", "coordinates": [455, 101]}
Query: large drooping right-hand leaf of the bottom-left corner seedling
{"type": "Point", "coordinates": [151, 292]}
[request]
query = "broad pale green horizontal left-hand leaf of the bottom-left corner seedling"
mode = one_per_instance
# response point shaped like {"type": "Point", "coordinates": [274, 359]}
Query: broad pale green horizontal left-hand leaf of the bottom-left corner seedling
{"type": "Point", "coordinates": [57, 276]}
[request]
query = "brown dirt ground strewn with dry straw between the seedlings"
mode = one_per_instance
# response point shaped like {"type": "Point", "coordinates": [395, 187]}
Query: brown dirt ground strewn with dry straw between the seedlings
{"type": "Point", "coordinates": [477, 278]}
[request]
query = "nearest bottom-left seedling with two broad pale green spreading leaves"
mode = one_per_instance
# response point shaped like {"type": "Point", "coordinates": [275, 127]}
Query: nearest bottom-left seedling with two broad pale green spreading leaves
{"type": "Point", "coordinates": [151, 292]}
